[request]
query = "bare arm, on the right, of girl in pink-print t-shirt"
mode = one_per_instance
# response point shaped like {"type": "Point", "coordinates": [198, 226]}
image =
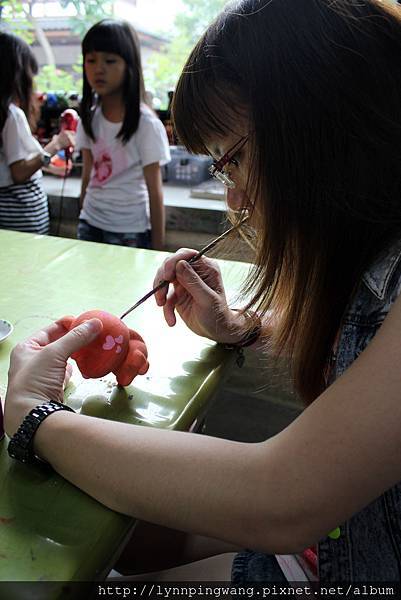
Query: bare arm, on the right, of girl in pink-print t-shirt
{"type": "Point", "coordinates": [154, 184]}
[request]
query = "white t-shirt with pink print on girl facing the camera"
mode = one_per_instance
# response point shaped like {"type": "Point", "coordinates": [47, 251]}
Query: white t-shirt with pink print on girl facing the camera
{"type": "Point", "coordinates": [117, 197]}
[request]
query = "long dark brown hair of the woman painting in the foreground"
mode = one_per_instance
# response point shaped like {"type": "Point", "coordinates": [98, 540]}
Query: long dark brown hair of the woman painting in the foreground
{"type": "Point", "coordinates": [320, 82]}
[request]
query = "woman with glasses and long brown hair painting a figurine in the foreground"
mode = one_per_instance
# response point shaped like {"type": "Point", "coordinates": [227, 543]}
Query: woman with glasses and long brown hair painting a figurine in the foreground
{"type": "Point", "coordinates": [299, 102]}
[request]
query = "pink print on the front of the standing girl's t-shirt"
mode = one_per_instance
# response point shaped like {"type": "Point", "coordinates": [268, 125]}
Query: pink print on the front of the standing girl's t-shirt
{"type": "Point", "coordinates": [108, 161]}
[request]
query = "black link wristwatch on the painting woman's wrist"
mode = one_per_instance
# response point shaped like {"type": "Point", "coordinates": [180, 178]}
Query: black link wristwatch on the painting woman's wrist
{"type": "Point", "coordinates": [20, 446]}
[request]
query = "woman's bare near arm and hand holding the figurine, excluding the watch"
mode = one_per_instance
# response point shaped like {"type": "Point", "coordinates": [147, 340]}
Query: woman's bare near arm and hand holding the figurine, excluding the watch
{"type": "Point", "coordinates": [277, 496]}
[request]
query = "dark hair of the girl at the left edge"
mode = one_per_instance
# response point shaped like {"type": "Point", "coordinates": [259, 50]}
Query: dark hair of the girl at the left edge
{"type": "Point", "coordinates": [18, 66]}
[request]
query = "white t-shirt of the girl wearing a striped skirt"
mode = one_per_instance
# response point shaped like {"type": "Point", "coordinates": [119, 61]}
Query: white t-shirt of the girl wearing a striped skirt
{"type": "Point", "coordinates": [17, 143]}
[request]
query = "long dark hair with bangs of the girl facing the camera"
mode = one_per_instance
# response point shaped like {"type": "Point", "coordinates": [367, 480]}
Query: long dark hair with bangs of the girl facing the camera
{"type": "Point", "coordinates": [116, 37]}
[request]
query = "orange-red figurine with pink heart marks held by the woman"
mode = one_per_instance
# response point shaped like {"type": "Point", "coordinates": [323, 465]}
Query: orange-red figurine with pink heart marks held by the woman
{"type": "Point", "coordinates": [117, 349]}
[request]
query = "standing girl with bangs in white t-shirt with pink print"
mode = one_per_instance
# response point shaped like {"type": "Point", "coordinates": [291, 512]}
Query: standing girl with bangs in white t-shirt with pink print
{"type": "Point", "coordinates": [123, 144]}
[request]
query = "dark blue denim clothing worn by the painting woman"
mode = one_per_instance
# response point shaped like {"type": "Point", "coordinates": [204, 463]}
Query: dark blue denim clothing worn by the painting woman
{"type": "Point", "coordinates": [369, 548]}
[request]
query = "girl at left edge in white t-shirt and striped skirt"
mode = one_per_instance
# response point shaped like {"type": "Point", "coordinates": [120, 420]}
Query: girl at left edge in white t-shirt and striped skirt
{"type": "Point", "coordinates": [23, 203]}
